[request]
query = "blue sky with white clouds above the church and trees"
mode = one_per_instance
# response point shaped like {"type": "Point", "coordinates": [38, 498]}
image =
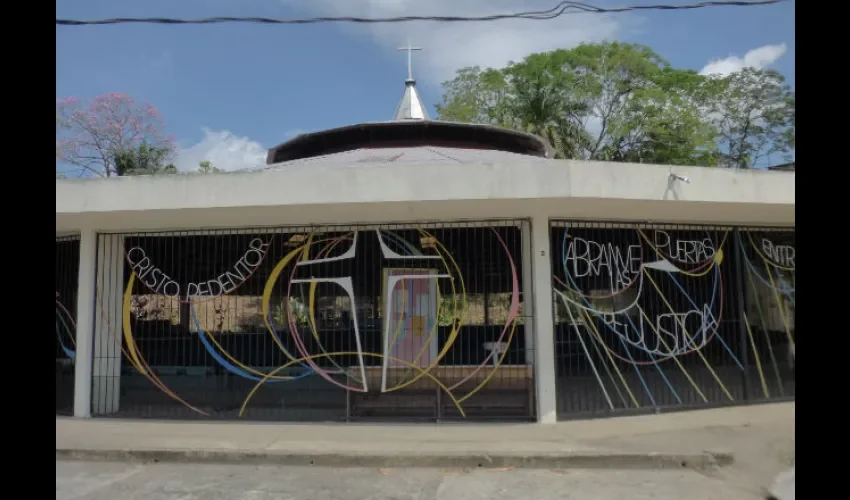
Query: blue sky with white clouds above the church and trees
{"type": "Point", "coordinates": [229, 92]}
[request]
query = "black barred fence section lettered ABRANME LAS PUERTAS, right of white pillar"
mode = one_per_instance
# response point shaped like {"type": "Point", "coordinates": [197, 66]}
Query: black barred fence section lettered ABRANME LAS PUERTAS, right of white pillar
{"type": "Point", "coordinates": [656, 317]}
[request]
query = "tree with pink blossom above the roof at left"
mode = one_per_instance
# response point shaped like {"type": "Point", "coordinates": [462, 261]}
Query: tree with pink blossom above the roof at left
{"type": "Point", "coordinates": [98, 137]}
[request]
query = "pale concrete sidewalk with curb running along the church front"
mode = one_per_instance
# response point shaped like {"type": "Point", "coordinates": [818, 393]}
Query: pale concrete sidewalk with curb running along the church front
{"type": "Point", "coordinates": [694, 439]}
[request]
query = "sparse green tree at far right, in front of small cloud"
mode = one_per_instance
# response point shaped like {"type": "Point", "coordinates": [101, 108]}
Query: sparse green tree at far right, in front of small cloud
{"type": "Point", "coordinates": [754, 114]}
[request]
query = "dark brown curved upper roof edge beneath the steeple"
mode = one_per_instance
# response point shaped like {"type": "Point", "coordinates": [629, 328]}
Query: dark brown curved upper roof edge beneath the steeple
{"type": "Point", "coordinates": [409, 133]}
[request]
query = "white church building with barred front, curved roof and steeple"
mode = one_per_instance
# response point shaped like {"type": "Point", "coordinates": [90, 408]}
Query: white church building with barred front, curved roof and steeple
{"type": "Point", "coordinates": [423, 269]}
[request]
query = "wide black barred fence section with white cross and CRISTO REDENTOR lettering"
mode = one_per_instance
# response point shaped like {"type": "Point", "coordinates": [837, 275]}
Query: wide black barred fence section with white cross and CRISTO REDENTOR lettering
{"type": "Point", "coordinates": [397, 321]}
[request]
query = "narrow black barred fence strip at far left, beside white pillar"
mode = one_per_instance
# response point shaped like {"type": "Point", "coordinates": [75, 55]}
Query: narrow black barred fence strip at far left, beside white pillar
{"type": "Point", "coordinates": [67, 270]}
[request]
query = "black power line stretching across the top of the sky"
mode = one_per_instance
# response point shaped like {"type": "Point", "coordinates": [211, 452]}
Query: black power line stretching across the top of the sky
{"type": "Point", "coordinates": [561, 9]}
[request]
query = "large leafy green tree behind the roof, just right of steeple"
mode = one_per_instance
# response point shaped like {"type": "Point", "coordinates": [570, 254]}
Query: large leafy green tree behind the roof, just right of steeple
{"type": "Point", "coordinates": [608, 101]}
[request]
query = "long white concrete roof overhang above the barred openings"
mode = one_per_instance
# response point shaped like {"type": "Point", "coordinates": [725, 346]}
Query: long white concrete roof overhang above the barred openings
{"type": "Point", "coordinates": [385, 192]}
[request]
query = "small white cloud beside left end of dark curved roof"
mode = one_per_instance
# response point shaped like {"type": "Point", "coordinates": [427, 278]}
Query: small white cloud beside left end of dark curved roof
{"type": "Point", "coordinates": [224, 150]}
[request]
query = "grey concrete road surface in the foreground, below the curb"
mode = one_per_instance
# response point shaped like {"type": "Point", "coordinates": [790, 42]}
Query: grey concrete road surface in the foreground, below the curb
{"type": "Point", "coordinates": [135, 481]}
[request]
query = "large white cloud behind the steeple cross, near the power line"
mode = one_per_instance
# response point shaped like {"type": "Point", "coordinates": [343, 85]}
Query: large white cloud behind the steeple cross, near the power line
{"type": "Point", "coordinates": [450, 46]}
